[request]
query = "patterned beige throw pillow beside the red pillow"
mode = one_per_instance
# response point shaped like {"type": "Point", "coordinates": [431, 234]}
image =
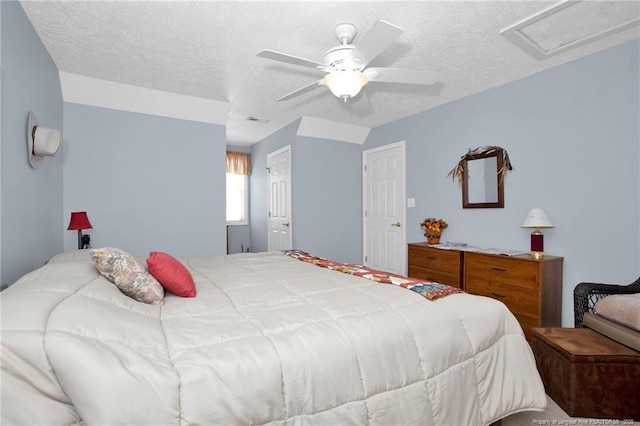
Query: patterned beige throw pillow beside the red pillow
{"type": "Point", "coordinates": [129, 275]}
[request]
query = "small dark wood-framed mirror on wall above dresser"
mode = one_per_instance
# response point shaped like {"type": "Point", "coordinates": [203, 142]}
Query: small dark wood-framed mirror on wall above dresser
{"type": "Point", "coordinates": [482, 185]}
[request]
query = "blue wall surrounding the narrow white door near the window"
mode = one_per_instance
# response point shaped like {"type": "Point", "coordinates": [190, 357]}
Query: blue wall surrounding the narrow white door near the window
{"type": "Point", "coordinates": [326, 194]}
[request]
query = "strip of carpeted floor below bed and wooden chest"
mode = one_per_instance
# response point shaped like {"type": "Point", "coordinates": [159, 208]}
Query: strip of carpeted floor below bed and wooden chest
{"type": "Point", "coordinates": [554, 415]}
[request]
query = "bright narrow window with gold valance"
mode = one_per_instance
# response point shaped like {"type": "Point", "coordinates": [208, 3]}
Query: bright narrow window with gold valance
{"type": "Point", "coordinates": [238, 170]}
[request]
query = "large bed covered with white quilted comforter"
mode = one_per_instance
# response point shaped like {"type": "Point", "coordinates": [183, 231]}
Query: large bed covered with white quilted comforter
{"type": "Point", "coordinates": [268, 339]}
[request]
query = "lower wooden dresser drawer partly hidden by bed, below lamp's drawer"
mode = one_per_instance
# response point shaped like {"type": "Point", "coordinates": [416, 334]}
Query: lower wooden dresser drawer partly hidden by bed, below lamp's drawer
{"type": "Point", "coordinates": [522, 302]}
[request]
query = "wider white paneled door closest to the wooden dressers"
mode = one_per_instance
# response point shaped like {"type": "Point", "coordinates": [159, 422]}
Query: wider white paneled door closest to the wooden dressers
{"type": "Point", "coordinates": [384, 208]}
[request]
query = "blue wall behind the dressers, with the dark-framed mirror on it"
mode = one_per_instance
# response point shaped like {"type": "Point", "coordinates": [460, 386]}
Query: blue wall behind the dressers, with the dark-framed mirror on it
{"type": "Point", "coordinates": [572, 133]}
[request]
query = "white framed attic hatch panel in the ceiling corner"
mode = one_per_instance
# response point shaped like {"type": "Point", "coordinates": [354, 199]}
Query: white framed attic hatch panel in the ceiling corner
{"type": "Point", "coordinates": [570, 24]}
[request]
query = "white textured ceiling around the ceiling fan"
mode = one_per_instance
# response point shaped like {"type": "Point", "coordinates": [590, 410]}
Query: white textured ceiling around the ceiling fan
{"type": "Point", "coordinates": [207, 49]}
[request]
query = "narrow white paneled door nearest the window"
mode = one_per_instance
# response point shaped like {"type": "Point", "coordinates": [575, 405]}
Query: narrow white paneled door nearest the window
{"type": "Point", "coordinates": [279, 170]}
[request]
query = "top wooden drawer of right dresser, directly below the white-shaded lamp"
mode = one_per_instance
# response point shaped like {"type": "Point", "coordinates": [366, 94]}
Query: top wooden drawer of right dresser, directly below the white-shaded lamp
{"type": "Point", "coordinates": [510, 270]}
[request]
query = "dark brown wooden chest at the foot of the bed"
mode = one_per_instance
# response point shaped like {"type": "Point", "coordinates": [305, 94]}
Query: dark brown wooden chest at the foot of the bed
{"type": "Point", "coordinates": [588, 374]}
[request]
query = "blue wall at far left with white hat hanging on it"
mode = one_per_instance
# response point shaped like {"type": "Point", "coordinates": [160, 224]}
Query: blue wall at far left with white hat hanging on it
{"type": "Point", "coordinates": [31, 219]}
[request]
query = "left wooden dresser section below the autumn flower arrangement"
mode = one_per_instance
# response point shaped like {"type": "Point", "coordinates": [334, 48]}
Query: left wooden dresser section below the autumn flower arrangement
{"type": "Point", "coordinates": [432, 264]}
